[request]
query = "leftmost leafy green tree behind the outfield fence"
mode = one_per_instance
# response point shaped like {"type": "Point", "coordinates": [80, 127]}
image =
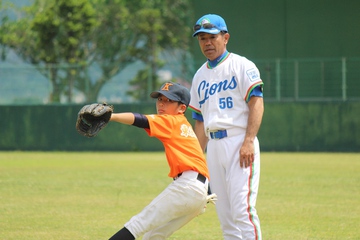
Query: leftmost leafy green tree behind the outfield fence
{"type": "Point", "coordinates": [49, 35]}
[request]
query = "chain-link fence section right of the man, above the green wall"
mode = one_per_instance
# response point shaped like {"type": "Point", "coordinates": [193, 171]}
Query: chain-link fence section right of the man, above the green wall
{"type": "Point", "coordinates": [323, 79]}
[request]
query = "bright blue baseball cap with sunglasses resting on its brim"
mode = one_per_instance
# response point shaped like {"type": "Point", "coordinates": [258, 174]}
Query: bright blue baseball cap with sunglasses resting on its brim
{"type": "Point", "coordinates": [210, 23]}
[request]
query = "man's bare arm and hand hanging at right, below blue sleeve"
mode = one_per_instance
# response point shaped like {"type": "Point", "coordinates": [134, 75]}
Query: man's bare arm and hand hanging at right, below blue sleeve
{"type": "Point", "coordinates": [256, 111]}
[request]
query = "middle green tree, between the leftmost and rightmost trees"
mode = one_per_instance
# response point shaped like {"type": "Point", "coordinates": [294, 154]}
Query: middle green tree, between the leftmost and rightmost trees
{"type": "Point", "coordinates": [113, 47]}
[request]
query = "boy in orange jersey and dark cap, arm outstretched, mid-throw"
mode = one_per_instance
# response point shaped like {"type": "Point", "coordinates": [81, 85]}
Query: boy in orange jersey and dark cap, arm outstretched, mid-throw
{"type": "Point", "coordinates": [186, 197]}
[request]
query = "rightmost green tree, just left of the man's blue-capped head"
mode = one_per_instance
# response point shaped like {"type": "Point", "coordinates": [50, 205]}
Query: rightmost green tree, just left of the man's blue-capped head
{"type": "Point", "coordinates": [165, 26]}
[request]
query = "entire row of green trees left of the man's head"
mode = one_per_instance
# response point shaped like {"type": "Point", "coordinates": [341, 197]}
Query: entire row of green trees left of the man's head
{"type": "Point", "coordinates": [64, 39]}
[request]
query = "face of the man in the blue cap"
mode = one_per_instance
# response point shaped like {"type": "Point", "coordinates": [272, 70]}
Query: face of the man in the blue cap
{"type": "Point", "coordinates": [213, 45]}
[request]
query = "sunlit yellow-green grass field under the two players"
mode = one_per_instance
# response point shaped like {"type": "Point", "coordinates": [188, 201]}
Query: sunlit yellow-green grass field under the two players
{"type": "Point", "coordinates": [60, 195]}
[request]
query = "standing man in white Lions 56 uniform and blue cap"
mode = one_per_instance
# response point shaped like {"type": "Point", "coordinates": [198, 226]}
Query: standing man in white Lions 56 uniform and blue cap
{"type": "Point", "coordinates": [227, 103]}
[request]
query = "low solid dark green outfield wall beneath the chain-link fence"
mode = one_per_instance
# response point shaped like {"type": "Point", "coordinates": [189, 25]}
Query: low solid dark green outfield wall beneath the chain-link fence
{"type": "Point", "coordinates": [286, 126]}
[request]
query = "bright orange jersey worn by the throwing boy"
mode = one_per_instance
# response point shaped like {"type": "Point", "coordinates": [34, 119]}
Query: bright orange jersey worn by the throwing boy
{"type": "Point", "coordinates": [182, 148]}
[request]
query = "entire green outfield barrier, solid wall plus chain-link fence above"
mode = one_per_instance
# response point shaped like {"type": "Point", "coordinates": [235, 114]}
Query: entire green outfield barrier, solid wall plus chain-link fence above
{"type": "Point", "coordinates": [310, 105]}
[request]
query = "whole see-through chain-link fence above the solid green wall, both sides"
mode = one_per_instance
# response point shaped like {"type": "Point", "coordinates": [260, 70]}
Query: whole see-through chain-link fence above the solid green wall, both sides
{"type": "Point", "coordinates": [323, 79]}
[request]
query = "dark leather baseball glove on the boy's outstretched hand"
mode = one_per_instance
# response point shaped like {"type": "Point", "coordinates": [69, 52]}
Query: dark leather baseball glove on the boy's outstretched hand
{"type": "Point", "coordinates": [92, 118]}
